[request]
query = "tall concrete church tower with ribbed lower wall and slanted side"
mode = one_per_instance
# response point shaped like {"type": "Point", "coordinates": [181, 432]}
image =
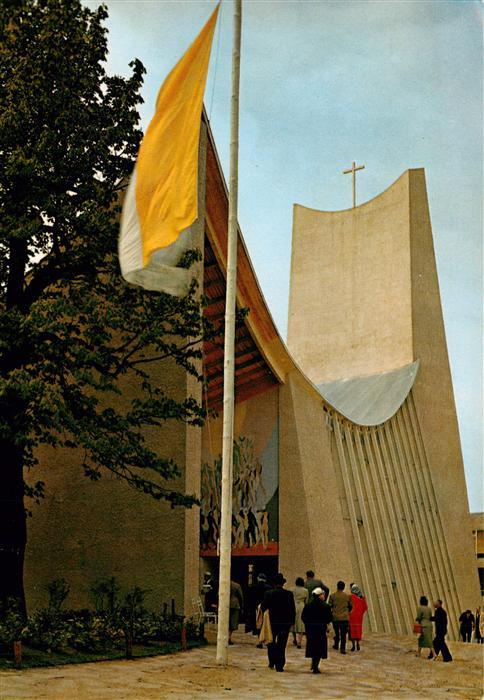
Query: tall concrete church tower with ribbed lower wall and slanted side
{"type": "Point", "coordinates": [365, 282]}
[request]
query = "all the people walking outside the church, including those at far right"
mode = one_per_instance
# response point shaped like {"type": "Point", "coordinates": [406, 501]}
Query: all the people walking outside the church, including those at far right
{"type": "Point", "coordinates": [273, 612]}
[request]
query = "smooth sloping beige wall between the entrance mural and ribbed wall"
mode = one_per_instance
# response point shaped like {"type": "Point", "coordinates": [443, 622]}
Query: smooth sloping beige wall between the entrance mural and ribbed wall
{"type": "Point", "coordinates": [312, 527]}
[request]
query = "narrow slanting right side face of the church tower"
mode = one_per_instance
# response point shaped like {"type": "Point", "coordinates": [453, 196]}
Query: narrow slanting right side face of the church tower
{"type": "Point", "coordinates": [434, 397]}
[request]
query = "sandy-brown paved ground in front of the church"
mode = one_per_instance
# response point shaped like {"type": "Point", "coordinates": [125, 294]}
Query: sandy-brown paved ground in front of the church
{"type": "Point", "coordinates": [386, 667]}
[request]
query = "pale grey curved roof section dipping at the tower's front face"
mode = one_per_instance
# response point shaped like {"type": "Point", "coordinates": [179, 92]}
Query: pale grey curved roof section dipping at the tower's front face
{"type": "Point", "coordinates": [370, 400]}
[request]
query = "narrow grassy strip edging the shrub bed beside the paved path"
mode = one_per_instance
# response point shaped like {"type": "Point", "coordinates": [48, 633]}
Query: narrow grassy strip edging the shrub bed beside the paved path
{"type": "Point", "coordinates": [34, 658]}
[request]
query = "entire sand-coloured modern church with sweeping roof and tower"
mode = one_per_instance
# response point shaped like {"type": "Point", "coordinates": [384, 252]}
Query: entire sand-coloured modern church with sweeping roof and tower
{"type": "Point", "coordinates": [346, 453]}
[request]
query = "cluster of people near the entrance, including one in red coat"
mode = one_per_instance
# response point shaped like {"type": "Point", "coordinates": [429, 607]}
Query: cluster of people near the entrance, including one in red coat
{"type": "Point", "coordinates": [309, 609]}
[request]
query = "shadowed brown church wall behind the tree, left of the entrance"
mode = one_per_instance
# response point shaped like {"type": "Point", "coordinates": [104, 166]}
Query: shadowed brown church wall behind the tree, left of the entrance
{"type": "Point", "coordinates": [85, 531]}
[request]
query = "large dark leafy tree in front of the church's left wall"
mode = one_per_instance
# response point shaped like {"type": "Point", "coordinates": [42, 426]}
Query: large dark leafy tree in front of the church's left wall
{"type": "Point", "coordinates": [70, 328]}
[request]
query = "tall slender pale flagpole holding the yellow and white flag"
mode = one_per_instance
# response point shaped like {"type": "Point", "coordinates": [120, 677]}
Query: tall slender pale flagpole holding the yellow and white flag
{"type": "Point", "coordinates": [229, 359]}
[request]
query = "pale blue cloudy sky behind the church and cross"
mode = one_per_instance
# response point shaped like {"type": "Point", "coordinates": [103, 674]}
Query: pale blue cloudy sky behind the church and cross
{"type": "Point", "coordinates": [390, 84]}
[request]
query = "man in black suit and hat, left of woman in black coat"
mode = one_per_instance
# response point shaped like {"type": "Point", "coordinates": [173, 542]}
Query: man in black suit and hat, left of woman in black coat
{"type": "Point", "coordinates": [282, 615]}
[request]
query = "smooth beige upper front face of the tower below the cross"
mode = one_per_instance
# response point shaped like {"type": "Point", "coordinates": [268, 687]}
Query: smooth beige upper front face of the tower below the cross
{"type": "Point", "coordinates": [350, 302]}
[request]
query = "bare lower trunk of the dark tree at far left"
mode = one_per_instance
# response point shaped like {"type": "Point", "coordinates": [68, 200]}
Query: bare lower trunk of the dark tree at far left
{"type": "Point", "coordinates": [13, 526]}
